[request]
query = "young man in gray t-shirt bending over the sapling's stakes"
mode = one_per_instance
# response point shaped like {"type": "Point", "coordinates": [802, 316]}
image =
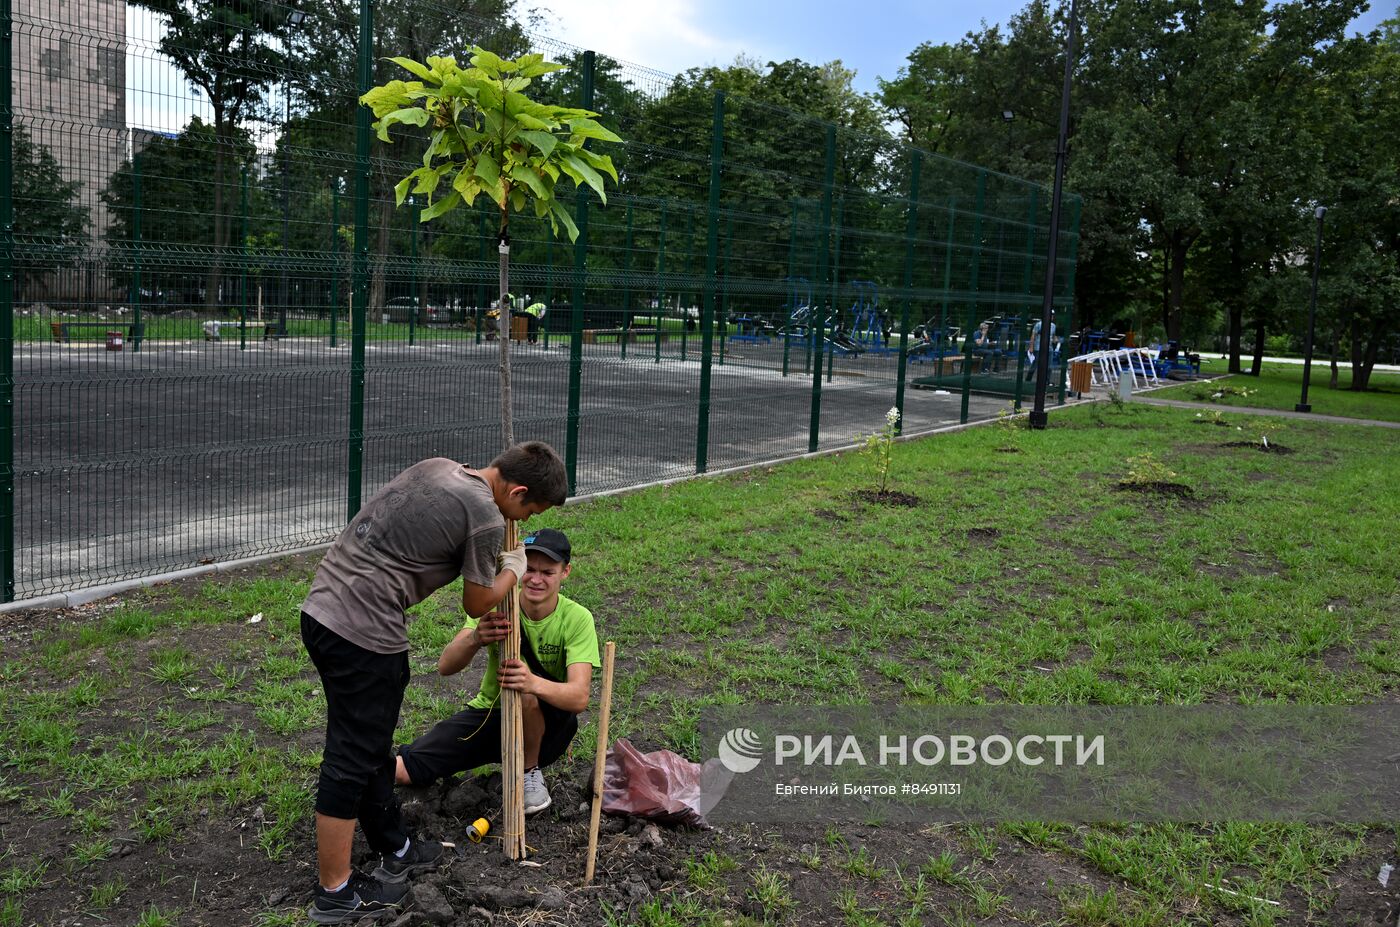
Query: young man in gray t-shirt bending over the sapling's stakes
{"type": "Point", "coordinates": [429, 526]}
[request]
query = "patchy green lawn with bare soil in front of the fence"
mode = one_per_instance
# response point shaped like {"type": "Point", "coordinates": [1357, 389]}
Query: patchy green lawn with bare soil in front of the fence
{"type": "Point", "coordinates": [163, 743]}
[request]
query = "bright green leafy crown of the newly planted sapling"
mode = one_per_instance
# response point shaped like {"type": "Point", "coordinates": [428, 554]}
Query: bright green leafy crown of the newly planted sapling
{"type": "Point", "coordinates": [488, 138]}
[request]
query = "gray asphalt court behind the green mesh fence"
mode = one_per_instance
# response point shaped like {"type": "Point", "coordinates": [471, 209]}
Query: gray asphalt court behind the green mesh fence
{"type": "Point", "coordinates": [185, 453]}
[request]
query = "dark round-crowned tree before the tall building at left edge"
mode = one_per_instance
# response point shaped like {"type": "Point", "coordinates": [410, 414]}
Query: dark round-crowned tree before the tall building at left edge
{"type": "Point", "coordinates": [51, 226]}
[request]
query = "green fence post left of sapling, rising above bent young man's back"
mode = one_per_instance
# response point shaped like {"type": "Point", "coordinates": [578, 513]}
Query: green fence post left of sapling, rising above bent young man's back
{"type": "Point", "coordinates": [360, 267]}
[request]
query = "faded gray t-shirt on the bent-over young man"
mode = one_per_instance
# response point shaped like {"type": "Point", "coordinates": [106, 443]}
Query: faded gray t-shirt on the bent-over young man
{"type": "Point", "coordinates": [430, 524]}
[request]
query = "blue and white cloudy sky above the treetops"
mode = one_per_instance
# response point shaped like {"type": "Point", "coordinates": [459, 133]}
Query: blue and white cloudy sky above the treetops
{"type": "Point", "coordinates": [874, 39]}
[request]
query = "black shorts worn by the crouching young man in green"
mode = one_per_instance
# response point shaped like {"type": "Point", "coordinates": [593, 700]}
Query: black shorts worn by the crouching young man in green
{"type": "Point", "coordinates": [472, 739]}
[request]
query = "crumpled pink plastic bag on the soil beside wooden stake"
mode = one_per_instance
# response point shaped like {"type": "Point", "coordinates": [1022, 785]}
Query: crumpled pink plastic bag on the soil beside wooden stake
{"type": "Point", "coordinates": [661, 786]}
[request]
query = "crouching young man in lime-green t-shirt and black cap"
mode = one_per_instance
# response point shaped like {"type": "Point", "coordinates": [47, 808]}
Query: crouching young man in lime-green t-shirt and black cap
{"type": "Point", "coordinates": [561, 652]}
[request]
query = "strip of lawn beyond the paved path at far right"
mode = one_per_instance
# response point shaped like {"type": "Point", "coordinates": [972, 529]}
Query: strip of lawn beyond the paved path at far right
{"type": "Point", "coordinates": [1280, 387]}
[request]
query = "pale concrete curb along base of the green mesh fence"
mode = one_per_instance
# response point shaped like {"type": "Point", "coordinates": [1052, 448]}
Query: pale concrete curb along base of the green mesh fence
{"type": "Point", "coordinates": [92, 594]}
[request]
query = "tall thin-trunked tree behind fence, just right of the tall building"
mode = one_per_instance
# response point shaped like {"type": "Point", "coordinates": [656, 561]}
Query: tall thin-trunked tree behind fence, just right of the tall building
{"type": "Point", "coordinates": [230, 51]}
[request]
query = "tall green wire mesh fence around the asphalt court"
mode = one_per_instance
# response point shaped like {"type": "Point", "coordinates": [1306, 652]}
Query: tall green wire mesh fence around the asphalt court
{"type": "Point", "coordinates": [219, 335]}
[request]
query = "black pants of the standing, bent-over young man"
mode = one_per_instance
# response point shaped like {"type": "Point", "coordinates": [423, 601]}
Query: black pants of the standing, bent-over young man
{"type": "Point", "coordinates": [365, 692]}
